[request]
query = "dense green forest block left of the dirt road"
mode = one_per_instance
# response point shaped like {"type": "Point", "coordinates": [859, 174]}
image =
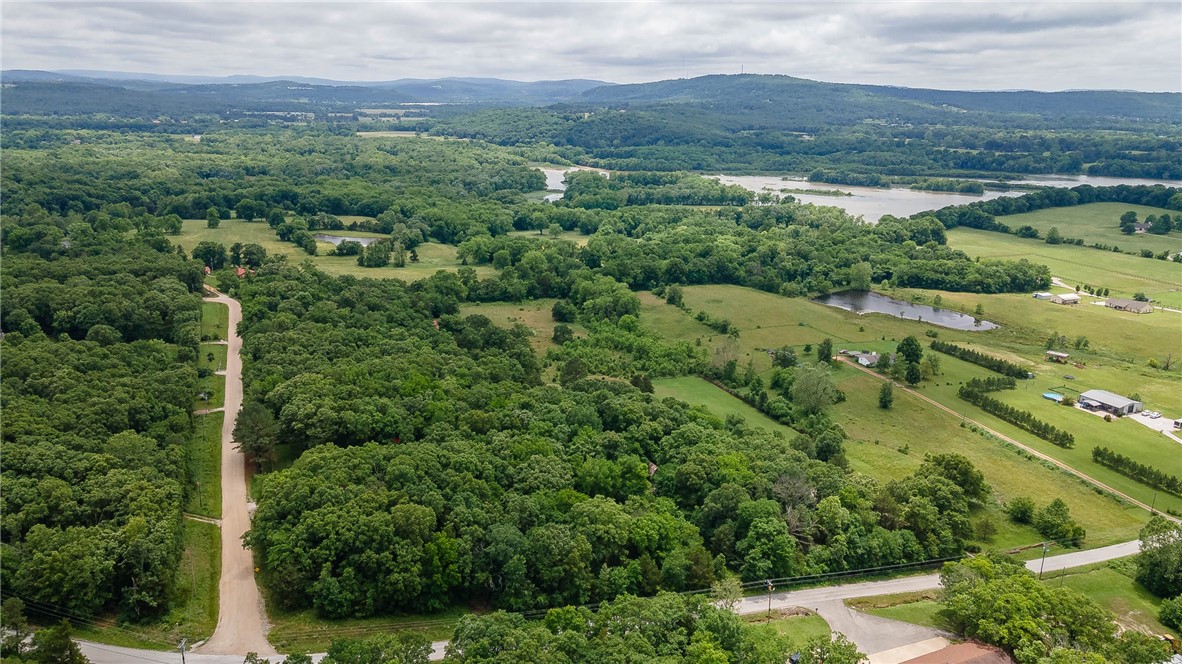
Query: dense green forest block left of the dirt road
{"type": "Point", "coordinates": [101, 333]}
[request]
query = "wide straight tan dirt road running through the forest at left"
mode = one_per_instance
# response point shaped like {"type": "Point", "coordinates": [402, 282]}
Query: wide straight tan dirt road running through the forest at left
{"type": "Point", "coordinates": [241, 624]}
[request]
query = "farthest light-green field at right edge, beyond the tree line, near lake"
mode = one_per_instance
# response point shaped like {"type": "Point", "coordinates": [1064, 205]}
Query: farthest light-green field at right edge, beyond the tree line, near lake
{"type": "Point", "coordinates": [1099, 223]}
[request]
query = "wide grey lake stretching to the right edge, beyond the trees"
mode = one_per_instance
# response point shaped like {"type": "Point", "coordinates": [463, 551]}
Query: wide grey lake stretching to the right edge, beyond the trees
{"type": "Point", "coordinates": [874, 203]}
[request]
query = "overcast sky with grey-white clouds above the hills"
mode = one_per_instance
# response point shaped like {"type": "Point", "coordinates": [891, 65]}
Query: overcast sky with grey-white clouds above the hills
{"type": "Point", "coordinates": [951, 45]}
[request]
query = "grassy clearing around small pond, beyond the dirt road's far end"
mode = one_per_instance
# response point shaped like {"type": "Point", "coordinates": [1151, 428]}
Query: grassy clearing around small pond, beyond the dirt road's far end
{"type": "Point", "coordinates": [432, 257]}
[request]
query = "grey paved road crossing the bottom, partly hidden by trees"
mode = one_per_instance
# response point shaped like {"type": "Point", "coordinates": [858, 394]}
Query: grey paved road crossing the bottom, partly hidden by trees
{"type": "Point", "coordinates": [809, 598]}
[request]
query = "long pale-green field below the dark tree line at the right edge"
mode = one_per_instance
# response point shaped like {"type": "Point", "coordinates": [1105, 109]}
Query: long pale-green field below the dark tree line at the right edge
{"type": "Point", "coordinates": [1121, 274]}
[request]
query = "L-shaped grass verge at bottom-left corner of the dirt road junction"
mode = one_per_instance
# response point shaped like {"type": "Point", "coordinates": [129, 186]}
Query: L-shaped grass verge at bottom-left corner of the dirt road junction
{"type": "Point", "coordinates": [194, 603]}
